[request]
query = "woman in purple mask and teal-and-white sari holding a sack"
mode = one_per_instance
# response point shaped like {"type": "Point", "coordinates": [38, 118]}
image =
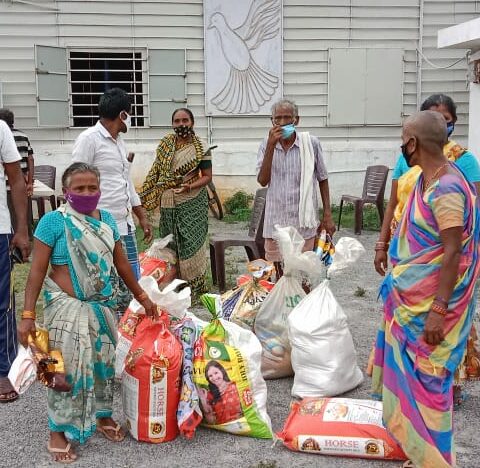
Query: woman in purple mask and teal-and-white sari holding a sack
{"type": "Point", "coordinates": [83, 247]}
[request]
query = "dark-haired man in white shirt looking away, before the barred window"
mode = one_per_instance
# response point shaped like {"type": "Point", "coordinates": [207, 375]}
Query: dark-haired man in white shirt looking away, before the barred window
{"type": "Point", "coordinates": [103, 147]}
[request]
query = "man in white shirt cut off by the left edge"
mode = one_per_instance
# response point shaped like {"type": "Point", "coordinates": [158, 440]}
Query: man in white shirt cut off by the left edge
{"type": "Point", "coordinates": [10, 167]}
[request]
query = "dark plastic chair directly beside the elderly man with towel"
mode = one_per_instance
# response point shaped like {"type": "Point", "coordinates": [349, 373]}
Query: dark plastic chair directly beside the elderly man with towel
{"type": "Point", "coordinates": [252, 241]}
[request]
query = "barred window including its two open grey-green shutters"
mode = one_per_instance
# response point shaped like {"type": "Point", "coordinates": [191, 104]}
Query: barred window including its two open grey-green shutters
{"type": "Point", "coordinates": [71, 81]}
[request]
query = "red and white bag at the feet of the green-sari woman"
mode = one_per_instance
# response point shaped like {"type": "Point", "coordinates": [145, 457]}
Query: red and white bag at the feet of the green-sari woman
{"type": "Point", "coordinates": [159, 261]}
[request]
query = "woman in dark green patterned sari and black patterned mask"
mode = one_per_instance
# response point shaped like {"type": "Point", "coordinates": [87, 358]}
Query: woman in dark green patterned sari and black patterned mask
{"type": "Point", "coordinates": [177, 182]}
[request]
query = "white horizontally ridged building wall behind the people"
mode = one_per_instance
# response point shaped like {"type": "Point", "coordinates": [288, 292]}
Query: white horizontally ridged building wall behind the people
{"type": "Point", "coordinates": [311, 27]}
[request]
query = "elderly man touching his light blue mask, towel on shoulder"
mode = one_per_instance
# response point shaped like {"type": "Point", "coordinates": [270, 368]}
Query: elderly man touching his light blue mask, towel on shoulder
{"type": "Point", "coordinates": [291, 164]}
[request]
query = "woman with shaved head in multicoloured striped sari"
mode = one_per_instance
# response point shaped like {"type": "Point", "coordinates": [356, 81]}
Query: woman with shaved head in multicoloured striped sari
{"type": "Point", "coordinates": [428, 298]}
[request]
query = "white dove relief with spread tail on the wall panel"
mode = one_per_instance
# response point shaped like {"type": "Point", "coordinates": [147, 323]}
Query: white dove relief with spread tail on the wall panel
{"type": "Point", "coordinates": [248, 86]}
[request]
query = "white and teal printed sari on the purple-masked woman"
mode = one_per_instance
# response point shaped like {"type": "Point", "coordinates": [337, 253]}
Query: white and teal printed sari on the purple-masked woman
{"type": "Point", "coordinates": [83, 328]}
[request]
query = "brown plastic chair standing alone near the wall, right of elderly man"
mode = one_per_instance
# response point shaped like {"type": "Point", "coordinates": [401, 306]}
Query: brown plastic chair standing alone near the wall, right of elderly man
{"type": "Point", "coordinates": [373, 193]}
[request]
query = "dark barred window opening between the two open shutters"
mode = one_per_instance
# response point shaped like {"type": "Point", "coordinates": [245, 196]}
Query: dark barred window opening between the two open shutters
{"type": "Point", "coordinates": [93, 73]}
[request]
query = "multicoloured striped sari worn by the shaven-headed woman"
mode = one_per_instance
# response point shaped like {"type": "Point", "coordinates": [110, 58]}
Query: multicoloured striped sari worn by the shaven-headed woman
{"type": "Point", "coordinates": [414, 379]}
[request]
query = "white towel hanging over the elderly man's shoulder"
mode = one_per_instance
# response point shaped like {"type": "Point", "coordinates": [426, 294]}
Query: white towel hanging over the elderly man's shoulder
{"type": "Point", "coordinates": [306, 208]}
